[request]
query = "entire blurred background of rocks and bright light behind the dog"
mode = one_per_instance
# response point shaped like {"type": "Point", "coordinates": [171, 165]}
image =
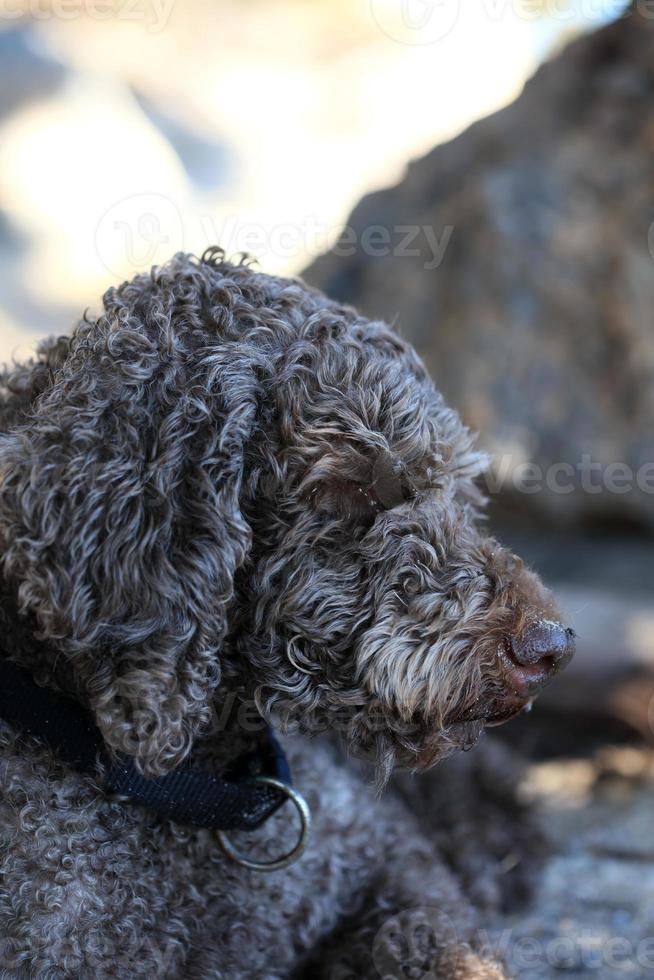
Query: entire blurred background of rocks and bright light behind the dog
{"type": "Point", "coordinates": [518, 255]}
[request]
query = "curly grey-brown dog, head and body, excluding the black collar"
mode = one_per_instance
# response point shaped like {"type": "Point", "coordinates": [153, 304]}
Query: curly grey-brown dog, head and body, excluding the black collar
{"type": "Point", "coordinates": [228, 490]}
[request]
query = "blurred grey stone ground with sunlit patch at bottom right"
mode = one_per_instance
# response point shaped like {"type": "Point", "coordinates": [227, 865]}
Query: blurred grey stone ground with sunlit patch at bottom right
{"type": "Point", "coordinates": [594, 912]}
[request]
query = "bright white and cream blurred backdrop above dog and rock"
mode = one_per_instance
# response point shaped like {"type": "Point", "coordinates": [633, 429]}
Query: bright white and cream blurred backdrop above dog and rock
{"type": "Point", "coordinates": [129, 131]}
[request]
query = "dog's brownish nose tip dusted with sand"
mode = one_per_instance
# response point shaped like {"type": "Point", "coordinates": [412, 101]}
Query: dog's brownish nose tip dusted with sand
{"type": "Point", "coordinates": [542, 650]}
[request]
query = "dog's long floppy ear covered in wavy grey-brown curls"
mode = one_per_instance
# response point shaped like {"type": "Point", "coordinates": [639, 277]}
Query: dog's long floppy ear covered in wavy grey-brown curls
{"type": "Point", "coordinates": [120, 520]}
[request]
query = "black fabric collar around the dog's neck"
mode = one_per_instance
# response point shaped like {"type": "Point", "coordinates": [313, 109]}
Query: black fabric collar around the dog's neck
{"type": "Point", "coordinates": [188, 795]}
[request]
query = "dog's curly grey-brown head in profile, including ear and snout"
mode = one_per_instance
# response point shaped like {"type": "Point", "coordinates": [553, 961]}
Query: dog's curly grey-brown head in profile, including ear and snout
{"type": "Point", "coordinates": [226, 475]}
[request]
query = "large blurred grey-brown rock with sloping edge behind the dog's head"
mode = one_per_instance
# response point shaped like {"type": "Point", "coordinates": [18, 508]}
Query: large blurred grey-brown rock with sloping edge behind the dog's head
{"type": "Point", "coordinates": [538, 324]}
